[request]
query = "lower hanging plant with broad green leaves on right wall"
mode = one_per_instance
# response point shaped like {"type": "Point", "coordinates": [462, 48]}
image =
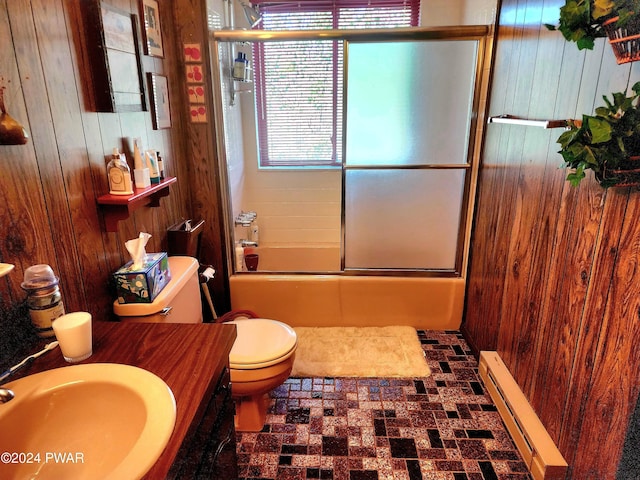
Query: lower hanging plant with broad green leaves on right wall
{"type": "Point", "coordinates": [607, 143]}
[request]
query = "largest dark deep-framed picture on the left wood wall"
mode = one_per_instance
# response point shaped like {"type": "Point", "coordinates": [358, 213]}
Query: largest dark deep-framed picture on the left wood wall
{"type": "Point", "coordinates": [113, 49]}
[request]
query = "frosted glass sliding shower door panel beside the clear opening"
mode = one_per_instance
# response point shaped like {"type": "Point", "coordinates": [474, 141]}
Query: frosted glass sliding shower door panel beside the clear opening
{"type": "Point", "coordinates": [409, 108]}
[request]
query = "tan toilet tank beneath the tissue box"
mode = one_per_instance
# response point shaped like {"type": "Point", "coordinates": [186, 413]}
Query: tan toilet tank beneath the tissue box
{"type": "Point", "coordinates": [178, 302]}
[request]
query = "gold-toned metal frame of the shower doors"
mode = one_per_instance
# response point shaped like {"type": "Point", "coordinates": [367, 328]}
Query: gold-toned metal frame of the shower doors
{"type": "Point", "coordinates": [480, 33]}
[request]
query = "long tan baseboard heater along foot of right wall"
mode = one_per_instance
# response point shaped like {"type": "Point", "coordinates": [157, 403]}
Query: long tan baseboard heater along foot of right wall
{"type": "Point", "coordinates": [534, 443]}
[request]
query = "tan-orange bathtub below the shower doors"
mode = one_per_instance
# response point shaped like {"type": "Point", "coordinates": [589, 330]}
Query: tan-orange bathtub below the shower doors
{"type": "Point", "coordinates": [303, 300]}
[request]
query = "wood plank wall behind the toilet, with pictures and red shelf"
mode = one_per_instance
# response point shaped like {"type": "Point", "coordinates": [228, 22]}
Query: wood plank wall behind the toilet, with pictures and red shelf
{"type": "Point", "coordinates": [48, 211]}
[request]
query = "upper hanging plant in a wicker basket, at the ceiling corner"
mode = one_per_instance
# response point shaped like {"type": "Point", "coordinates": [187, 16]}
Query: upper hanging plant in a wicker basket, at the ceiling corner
{"type": "Point", "coordinates": [582, 21]}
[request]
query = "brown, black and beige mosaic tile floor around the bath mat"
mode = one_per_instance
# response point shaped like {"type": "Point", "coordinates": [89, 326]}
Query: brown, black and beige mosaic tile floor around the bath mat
{"type": "Point", "coordinates": [442, 427]}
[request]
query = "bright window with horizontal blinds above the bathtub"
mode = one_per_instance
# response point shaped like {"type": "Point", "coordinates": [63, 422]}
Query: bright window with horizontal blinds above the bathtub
{"type": "Point", "coordinates": [299, 83]}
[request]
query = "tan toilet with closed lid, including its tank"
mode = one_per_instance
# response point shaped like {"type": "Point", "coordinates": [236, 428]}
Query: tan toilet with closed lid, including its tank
{"type": "Point", "coordinates": [262, 355]}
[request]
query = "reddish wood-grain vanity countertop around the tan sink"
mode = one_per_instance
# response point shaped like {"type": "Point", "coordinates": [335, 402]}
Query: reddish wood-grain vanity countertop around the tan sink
{"type": "Point", "coordinates": [188, 357]}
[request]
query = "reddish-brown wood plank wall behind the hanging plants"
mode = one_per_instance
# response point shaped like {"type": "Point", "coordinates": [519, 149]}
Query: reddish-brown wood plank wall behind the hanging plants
{"type": "Point", "coordinates": [554, 283]}
